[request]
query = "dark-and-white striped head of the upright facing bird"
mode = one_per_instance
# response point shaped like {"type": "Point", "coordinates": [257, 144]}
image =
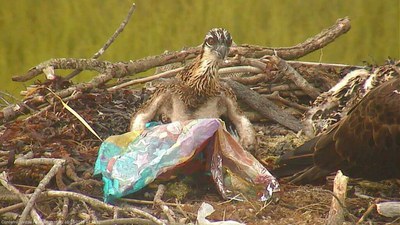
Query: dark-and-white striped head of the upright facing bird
{"type": "Point", "coordinates": [217, 43]}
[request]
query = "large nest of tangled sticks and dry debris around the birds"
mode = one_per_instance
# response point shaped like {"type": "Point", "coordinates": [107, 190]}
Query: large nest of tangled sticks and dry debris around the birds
{"type": "Point", "coordinates": [47, 158]}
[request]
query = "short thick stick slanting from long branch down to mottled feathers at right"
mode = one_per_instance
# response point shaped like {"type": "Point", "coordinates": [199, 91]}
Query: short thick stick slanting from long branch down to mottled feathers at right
{"type": "Point", "coordinates": [293, 75]}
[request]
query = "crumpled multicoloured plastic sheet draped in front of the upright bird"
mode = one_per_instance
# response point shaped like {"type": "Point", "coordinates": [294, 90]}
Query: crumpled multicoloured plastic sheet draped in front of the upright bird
{"type": "Point", "coordinates": [130, 161]}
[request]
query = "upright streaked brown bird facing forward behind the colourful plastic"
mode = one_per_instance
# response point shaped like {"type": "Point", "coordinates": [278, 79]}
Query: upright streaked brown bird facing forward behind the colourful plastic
{"type": "Point", "coordinates": [197, 92]}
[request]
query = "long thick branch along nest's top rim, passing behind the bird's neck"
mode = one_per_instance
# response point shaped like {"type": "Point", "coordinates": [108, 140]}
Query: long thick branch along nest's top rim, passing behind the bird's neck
{"type": "Point", "coordinates": [141, 65]}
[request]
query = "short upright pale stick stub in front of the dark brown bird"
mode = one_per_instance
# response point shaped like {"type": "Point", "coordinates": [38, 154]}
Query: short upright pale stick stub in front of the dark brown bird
{"type": "Point", "coordinates": [336, 213]}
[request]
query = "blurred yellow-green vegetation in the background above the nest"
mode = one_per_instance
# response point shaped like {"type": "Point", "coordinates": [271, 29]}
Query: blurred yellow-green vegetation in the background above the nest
{"type": "Point", "coordinates": [33, 31]}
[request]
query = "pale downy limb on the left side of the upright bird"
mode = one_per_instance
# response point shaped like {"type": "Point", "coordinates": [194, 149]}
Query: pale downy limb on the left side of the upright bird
{"type": "Point", "coordinates": [139, 120]}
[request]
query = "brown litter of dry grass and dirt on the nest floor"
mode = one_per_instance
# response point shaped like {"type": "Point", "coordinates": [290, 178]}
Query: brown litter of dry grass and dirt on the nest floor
{"type": "Point", "coordinates": [56, 133]}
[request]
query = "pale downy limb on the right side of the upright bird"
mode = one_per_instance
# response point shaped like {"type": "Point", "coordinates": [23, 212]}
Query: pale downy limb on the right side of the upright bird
{"type": "Point", "coordinates": [242, 124]}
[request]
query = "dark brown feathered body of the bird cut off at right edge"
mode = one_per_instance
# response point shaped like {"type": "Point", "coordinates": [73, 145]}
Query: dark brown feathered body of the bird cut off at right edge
{"type": "Point", "coordinates": [365, 143]}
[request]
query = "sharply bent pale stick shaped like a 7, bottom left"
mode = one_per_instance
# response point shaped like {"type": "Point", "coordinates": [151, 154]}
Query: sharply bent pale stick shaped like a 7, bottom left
{"type": "Point", "coordinates": [58, 163]}
